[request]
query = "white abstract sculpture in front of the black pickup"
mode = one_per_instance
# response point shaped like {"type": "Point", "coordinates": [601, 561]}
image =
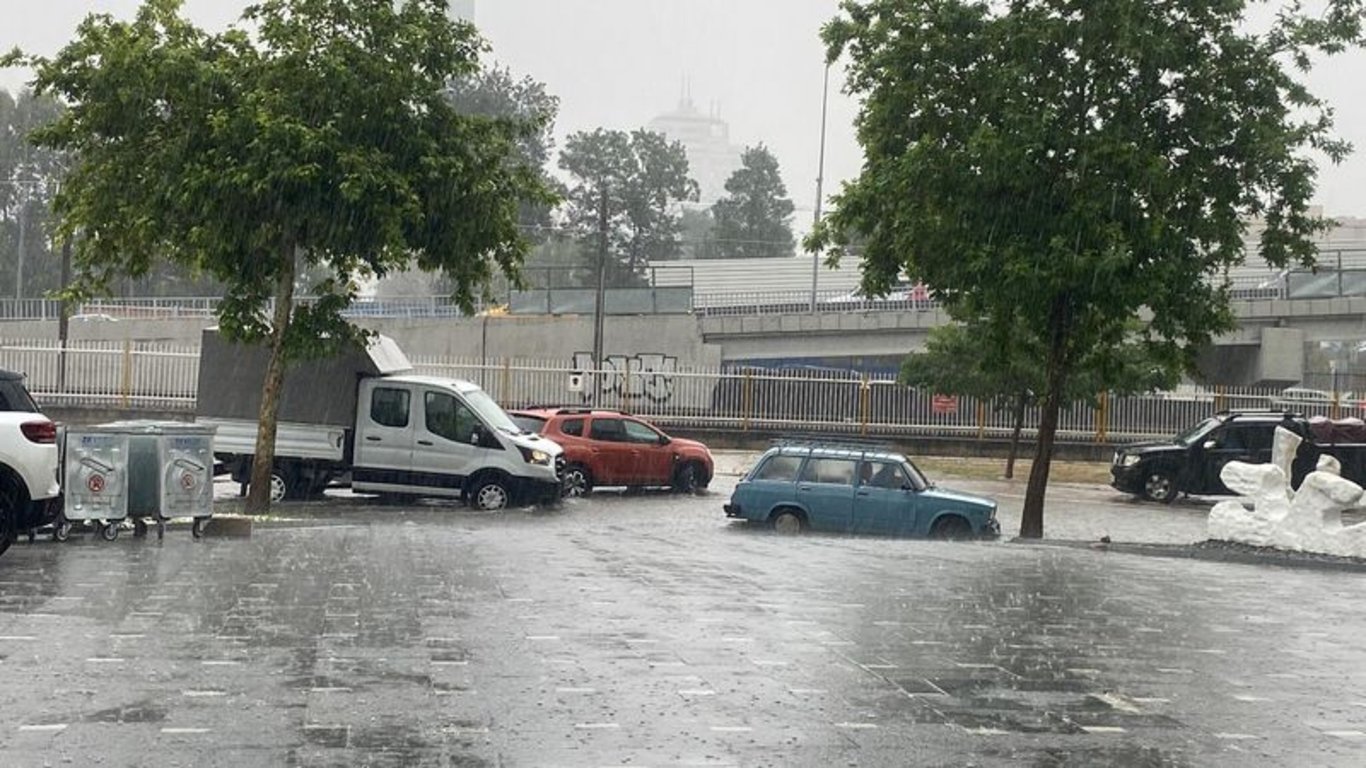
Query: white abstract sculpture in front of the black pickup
{"type": "Point", "coordinates": [1268, 513]}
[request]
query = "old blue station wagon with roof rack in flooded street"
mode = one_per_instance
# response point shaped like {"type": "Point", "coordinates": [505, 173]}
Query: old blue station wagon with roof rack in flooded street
{"type": "Point", "coordinates": [856, 491]}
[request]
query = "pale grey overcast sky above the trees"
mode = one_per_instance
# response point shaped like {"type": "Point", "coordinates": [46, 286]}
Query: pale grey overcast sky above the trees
{"type": "Point", "coordinates": [619, 64]}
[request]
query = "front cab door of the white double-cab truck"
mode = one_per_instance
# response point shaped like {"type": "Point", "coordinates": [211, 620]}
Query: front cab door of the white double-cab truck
{"type": "Point", "coordinates": [443, 452]}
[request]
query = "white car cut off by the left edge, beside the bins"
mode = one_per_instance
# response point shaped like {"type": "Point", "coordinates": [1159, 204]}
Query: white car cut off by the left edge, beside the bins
{"type": "Point", "coordinates": [31, 494]}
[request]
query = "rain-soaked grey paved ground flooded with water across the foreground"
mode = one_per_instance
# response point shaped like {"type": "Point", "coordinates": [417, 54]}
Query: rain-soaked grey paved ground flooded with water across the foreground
{"type": "Point", "coordinates": [648, 631]}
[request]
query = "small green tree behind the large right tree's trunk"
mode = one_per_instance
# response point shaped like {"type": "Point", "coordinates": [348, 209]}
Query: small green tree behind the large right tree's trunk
{"type": "Point", "coordinates": [1003, 364]}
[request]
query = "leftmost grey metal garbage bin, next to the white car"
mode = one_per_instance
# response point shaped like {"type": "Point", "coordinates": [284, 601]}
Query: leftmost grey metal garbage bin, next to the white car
{"type": "Point", "coordinates": [96, 480]}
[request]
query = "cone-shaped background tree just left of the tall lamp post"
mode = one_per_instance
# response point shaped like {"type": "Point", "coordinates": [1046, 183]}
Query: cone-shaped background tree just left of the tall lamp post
{"type": "Point", "coordinates": [756, 219]}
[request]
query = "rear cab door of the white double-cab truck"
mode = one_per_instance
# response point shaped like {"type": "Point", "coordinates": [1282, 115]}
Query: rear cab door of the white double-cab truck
{"type": "Point", "coordinates": [385, 441]}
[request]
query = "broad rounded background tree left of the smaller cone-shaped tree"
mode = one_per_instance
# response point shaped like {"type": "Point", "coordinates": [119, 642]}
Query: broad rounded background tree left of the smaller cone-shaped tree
{"type": "Point", "coordinates": [644, 178]}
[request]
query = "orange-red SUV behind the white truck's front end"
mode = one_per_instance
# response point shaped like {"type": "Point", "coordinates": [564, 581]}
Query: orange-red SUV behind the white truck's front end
{"type": "Point", "coordinates": [606, 448]}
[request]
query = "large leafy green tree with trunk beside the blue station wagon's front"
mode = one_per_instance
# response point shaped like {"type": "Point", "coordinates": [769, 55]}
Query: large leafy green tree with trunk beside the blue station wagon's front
{"type": "Point", "coordinates": [1078, 162]}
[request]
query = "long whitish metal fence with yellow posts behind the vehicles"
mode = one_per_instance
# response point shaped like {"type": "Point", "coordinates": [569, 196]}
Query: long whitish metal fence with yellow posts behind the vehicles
{"type": "Point", "coordinates": [166, 378]}
